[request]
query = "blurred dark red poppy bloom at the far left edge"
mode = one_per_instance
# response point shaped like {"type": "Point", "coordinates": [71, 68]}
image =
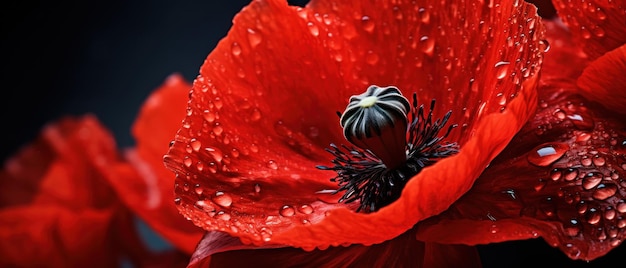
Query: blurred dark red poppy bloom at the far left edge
{"type": "Point", "coordinates": [56, 209]}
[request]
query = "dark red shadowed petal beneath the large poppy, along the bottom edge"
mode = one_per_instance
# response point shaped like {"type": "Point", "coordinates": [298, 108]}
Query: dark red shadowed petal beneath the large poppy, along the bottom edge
{"type": "Point", "coordinates": [403, 251]}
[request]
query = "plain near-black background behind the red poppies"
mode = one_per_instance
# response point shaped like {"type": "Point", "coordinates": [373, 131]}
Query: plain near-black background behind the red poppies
{"type": "Point", "coordinates": [105, 57]}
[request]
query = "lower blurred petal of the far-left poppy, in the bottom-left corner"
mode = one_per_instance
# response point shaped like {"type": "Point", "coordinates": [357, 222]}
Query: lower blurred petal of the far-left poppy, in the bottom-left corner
{"type": "Point", "coordinates": [55, 236]}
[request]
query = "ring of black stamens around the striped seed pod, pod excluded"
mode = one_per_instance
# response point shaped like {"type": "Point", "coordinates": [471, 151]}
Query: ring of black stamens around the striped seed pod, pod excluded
{"type": "Point", "coordinates": [363, 177]}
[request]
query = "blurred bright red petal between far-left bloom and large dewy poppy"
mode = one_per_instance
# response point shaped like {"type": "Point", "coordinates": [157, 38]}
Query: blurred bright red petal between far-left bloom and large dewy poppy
{"type": "Point", "coordinates": [142, 182]}
